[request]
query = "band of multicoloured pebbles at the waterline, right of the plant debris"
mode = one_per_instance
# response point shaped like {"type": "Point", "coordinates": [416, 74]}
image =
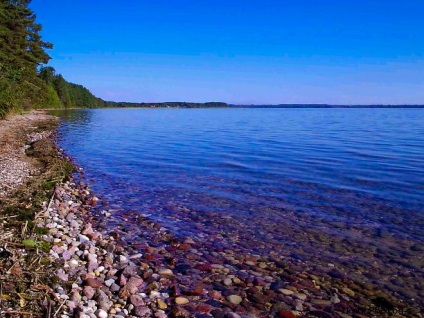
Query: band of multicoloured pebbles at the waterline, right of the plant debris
{"type": "Point", "coordinates": [100, 275]}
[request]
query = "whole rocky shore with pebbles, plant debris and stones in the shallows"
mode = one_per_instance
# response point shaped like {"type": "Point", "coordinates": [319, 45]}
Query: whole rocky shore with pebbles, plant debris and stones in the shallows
{"type": "Point", "coordinates": [77, 266]}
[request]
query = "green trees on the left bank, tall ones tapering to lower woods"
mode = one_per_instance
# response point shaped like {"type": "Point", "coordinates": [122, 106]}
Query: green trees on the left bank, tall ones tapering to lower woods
{"type": "Point", "coordinates": [25, 81]}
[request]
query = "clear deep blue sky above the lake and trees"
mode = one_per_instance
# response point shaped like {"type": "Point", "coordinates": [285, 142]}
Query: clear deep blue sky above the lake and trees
{"type": "Point", "coordinates": [240, 52]}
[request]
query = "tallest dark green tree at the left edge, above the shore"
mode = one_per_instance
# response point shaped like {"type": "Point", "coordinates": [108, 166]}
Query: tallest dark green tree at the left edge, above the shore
{"type": "Point", "coordinates": [21, 52]}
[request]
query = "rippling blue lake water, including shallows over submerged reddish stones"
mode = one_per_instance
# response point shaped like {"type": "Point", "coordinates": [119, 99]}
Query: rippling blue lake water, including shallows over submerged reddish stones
{"type": "Point", "coordinates": [327, 185]}
